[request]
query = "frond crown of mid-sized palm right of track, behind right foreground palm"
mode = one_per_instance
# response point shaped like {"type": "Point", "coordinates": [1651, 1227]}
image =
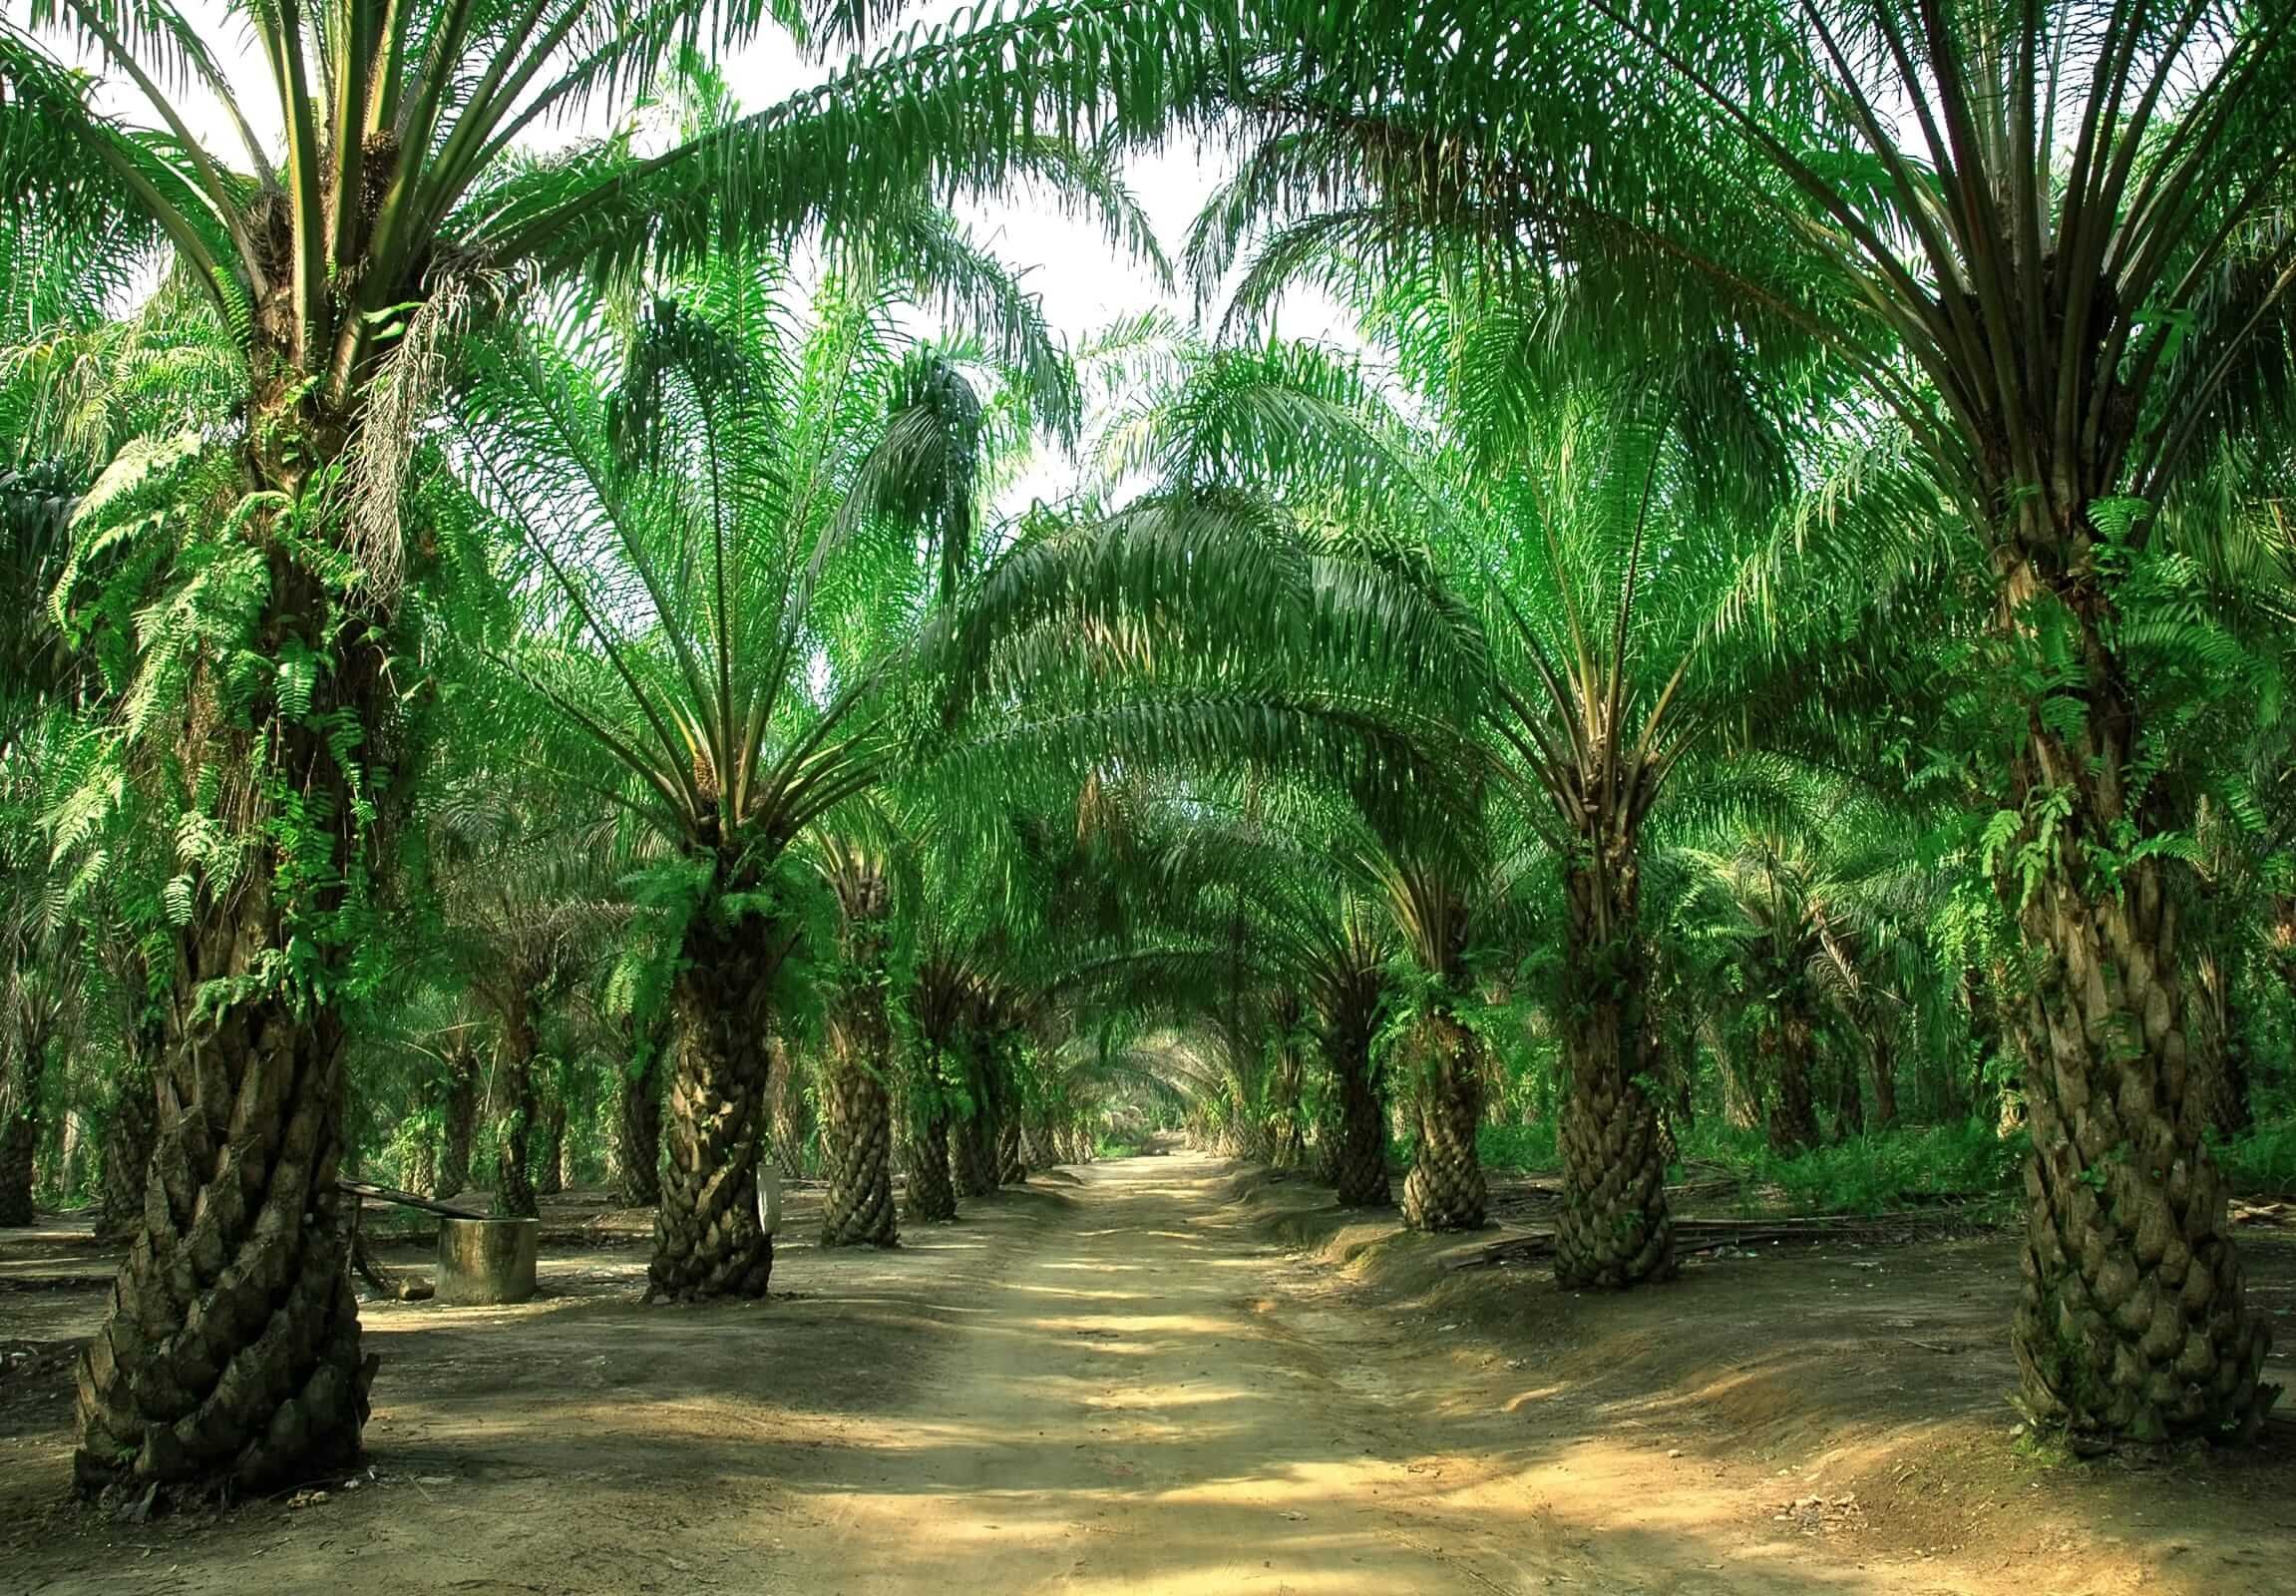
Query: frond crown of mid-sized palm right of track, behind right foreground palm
{"type": "Point", "coordinates": [1567, 575]}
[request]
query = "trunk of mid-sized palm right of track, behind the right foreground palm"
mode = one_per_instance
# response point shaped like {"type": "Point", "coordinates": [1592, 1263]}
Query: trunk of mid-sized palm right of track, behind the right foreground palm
{"type": "Point", "coordinates": [1613, 1227]}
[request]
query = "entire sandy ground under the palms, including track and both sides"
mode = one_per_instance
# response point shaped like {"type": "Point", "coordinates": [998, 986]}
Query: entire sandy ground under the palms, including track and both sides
{"type": "Point", "coordinates": [1165, 1379]}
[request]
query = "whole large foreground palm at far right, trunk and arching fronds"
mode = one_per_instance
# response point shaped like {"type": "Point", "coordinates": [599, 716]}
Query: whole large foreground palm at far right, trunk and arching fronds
{"type": "Point", "coordinates": [2042, 247]}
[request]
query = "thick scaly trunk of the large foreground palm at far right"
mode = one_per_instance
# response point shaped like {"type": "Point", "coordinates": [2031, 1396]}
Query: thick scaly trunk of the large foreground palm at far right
{"type": "Point", "coordinates": [2132, 1319]}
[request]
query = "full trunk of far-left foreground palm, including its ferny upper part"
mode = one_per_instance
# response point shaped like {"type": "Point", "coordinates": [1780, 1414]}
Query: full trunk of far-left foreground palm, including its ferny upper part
{"type": "Point", "coordinates": [228, 1356]}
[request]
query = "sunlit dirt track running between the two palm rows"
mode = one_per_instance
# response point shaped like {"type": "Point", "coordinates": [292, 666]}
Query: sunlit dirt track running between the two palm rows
{"type": "Point", "coordinates": [1161, 1402]}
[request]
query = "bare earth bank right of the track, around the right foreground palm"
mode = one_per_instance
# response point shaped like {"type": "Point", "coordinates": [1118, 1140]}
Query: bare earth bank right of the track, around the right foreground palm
{"type": "Point", "coordinates": [1799, 1416]}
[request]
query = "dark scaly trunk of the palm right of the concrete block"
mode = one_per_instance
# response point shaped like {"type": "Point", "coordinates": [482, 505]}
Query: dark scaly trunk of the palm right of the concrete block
{"type": "Point", "coordinates": [708, 1241]}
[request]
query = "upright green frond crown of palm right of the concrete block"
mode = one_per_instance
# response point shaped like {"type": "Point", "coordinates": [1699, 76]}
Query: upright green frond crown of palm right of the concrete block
{"type": "Point", "coordinates": [729, 509]}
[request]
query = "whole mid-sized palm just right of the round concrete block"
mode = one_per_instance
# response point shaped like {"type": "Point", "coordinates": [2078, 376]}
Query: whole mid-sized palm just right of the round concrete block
{"type": "Point", "coordinates": [720, 522]}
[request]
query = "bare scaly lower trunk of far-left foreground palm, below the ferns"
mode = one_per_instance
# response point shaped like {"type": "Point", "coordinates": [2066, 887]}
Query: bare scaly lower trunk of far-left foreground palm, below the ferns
{"type": "Point", "coordinates": [231, 1347]}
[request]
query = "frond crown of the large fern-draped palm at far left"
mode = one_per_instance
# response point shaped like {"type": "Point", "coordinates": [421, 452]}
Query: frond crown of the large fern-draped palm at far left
{"type": "Point", "coordinates": [389, 148]}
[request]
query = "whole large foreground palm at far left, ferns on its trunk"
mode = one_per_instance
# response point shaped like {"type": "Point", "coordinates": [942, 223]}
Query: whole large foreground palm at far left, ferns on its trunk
{"type": "Point", "coordinates": [387, 208]}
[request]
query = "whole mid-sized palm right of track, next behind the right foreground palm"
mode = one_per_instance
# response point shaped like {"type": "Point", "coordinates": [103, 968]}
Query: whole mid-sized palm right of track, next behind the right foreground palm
{"type": "Point", "coordinates": [1578, 557]}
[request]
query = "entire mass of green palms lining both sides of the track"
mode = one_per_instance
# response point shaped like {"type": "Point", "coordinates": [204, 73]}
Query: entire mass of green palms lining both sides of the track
{"type": "Point", "coordinates": [1790, 591]}
